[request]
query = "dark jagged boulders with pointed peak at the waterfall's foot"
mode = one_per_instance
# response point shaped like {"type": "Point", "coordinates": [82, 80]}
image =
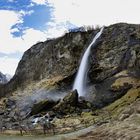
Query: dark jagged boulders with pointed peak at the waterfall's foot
{"type": "Point", "coordinates": [71, 103]}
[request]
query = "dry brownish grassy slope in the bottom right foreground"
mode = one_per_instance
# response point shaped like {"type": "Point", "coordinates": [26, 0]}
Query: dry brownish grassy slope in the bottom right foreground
{"type": "Point", "coordinates": [124, 126]}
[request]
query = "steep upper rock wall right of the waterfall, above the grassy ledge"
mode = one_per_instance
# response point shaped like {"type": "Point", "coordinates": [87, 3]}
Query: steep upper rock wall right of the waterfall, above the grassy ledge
{"type": "Point", "coordinates": [117, 50]}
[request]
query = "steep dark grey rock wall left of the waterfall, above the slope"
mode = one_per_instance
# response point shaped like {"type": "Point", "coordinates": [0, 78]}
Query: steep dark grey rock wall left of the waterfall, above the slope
{"type": "Point", "coordinates": [52, 58]}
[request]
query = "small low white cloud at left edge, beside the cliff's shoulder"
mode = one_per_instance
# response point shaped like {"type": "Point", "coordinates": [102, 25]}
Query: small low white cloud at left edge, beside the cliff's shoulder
{"type": "Point", "coordinates": [8, 65]}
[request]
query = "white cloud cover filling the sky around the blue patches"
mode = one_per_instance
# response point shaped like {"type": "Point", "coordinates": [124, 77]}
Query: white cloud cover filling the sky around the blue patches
{"type": "Point", "coordinates": [76, 12]}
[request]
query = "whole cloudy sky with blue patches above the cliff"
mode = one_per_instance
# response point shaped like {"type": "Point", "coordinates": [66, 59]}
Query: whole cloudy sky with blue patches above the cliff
{"type": "Point", "coordinates": [26, 22]}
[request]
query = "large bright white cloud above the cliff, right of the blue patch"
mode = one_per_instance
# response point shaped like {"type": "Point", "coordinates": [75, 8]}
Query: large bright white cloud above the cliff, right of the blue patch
{"type": "Point", "coordinates": [93, 12]}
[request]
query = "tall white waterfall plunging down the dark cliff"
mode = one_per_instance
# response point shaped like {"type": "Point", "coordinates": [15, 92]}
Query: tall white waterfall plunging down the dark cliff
{"type": "Point", "coordinates": [81, 78]}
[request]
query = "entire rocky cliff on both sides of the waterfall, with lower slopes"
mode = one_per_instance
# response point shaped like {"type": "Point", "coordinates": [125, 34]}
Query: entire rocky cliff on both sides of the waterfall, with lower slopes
{"type": "Point", "coordinates": [47, 70]}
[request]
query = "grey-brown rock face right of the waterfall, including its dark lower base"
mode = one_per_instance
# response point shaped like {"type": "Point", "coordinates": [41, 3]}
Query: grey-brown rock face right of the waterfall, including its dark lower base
{"type": "Point", "coordinates": [117, 51]}
